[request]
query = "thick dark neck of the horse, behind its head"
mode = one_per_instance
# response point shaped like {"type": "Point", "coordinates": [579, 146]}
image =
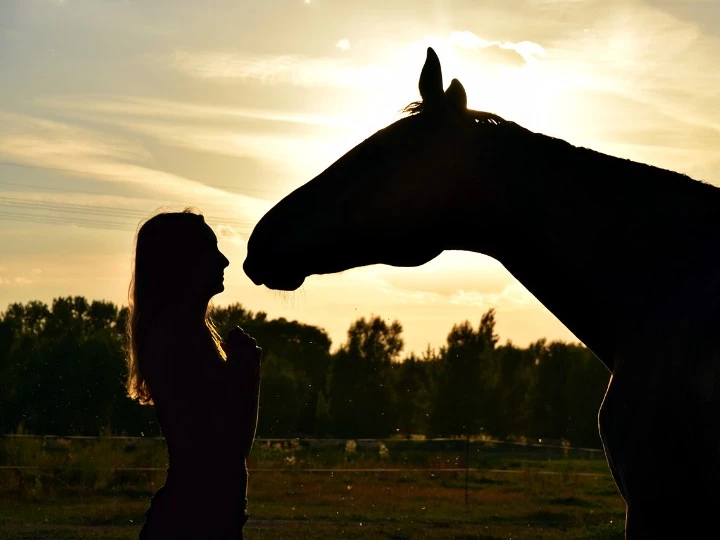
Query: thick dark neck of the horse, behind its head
{"type": "Point", "coordinates": [599, 240]}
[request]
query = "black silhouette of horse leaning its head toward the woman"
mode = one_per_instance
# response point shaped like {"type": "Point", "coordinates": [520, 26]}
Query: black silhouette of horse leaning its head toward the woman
{"type": "Point", "coordinates": [623, 253]}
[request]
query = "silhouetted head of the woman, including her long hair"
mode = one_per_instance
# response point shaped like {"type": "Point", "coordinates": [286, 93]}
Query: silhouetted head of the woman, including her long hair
{"type": "Point", "coordinates": [177, 269]}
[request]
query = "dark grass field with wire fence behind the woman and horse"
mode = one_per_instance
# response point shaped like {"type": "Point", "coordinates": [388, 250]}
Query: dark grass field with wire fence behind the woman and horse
{"type": "Point", "coordinates": [512, 492]}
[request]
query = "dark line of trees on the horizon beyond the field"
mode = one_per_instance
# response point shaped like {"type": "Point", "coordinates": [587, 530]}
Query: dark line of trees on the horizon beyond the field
{"type": "Point", "coordinates": [62, 371]}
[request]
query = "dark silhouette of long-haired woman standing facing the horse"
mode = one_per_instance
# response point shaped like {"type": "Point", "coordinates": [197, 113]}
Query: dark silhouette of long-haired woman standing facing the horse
{"type": "Point", "coordinates": [205, 391]}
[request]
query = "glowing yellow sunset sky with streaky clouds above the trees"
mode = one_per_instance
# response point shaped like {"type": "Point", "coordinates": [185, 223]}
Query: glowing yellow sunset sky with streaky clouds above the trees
{"type": "Point", "coordinates": [113, 109]}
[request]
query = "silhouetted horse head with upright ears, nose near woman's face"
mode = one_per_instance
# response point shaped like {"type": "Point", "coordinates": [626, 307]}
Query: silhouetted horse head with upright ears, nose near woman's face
{"type": "Point", "coordinates": [391, 199]}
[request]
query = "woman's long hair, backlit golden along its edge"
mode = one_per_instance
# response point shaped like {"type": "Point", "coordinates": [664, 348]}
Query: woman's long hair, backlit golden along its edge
{"type": "Point", "coordinates": [163, 247]}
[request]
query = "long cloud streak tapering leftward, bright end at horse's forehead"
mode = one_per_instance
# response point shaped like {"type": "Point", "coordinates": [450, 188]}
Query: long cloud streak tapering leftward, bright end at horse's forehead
{"type": "Point", "coordinates": [291, 144]}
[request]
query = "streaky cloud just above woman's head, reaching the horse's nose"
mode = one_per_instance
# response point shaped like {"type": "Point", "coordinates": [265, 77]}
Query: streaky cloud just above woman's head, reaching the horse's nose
{"type": "Point", "coordinates": [98, 157]}
